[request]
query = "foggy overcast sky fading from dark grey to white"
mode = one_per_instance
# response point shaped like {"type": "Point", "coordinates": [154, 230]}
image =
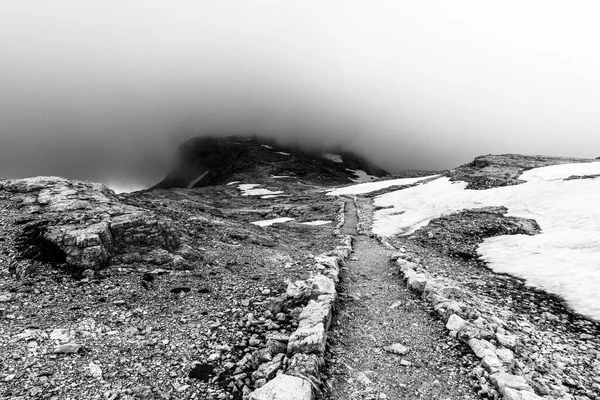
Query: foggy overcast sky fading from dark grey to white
{"type": "Point", "coordinates": [105, 90]}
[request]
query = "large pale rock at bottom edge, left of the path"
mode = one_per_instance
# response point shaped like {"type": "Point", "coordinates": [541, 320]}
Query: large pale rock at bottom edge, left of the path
{"type": "Point", "coordinates": [284, 387]}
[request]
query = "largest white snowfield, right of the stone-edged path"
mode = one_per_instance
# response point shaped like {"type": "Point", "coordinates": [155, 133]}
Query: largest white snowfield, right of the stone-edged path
{"type": "Point", "coordinates": [563, 259]}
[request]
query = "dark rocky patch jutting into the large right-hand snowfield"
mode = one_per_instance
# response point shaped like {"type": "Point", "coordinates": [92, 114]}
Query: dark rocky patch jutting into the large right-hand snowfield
{"type": "Point", "coordinates": [460, 233]}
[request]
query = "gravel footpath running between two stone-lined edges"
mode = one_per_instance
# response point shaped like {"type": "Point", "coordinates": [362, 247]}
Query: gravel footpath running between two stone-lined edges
{"type": "Point", "coordinates": [377, 311]}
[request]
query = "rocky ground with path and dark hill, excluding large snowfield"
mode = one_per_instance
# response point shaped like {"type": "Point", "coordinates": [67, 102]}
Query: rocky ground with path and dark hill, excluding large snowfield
{"type": "Point", "coordinates": [239, 277]}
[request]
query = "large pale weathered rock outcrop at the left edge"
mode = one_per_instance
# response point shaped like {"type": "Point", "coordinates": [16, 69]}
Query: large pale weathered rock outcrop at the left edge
{"type": "Point", "coordinates": [88, 224]}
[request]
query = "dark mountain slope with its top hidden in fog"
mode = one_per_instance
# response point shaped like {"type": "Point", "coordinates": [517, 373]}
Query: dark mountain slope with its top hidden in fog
{"type": "Point", "coordinates": [206, 161]}
